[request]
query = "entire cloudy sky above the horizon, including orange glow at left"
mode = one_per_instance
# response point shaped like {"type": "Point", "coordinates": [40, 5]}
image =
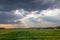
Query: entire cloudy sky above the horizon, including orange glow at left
{"type": "Point", "coordinates": [29, 13]}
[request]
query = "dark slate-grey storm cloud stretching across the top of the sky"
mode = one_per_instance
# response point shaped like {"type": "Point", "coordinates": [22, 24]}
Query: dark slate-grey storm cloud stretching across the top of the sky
{"type": "Point", "coordinates": [6, 5]}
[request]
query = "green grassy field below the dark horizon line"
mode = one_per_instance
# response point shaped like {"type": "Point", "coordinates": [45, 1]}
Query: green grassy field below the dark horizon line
{"type": "Point", "coordinates": [30, 34]}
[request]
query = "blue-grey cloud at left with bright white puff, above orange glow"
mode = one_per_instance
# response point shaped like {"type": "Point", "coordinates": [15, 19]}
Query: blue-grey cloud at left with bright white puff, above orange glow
{"type": "Point", "coordinates": [10, 17]}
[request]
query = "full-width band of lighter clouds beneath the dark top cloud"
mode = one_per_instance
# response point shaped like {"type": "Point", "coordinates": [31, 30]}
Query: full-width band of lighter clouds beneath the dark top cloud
{"type": "Point", "coordinates": [38, 18]}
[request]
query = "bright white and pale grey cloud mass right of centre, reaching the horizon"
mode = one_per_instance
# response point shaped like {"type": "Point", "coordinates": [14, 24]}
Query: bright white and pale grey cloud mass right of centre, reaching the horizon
{"type": "Point", "coordinates": [44, 18]}
